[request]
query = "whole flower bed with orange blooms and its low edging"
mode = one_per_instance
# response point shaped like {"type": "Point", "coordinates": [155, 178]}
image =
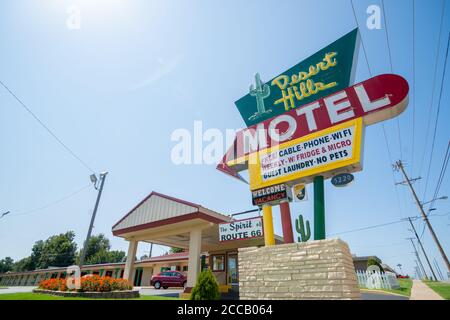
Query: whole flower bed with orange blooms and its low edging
{"type": "Point", "coordinates": [90, 286]}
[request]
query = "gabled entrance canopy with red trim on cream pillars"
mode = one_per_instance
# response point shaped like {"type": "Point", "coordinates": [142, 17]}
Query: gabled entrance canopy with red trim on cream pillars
{"type": "Point", "coordinates": [172, 222]}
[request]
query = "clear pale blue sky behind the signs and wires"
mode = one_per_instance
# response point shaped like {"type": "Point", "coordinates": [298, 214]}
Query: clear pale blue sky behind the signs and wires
{"type": "Point", "coordinates": [115, 89]}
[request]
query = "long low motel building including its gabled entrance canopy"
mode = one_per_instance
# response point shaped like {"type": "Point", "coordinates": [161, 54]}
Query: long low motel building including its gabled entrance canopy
{"type": "Point", "coordinates": [167, 221]}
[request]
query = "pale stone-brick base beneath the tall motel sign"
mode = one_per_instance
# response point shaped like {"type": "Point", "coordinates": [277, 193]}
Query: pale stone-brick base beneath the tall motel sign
{"type": "Point", "coordinates": [298, 271]}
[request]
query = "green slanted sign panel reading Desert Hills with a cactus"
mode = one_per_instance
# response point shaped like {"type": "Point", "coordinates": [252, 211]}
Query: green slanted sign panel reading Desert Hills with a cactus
{"type": "Point", "coordinates": [325, 72]}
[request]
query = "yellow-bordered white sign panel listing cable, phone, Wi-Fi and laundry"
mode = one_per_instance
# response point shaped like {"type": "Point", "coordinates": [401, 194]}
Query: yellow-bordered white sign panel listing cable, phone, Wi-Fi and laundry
{"type": "Point", "coordinates": [334, 149]}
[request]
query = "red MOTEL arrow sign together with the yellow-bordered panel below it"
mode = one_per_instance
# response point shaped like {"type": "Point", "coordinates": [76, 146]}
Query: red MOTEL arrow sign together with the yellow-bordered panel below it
{"type": "Point", "coordinates": [344, 113]}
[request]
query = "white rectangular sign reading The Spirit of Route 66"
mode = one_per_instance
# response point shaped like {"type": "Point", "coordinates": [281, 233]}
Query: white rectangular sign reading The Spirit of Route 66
{"type": "Point", "coordinates": [241, 229]}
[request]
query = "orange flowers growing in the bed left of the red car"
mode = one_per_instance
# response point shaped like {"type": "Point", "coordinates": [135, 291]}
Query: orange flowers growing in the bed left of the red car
{"type": "Point", "coordinates": [88, 284]}
